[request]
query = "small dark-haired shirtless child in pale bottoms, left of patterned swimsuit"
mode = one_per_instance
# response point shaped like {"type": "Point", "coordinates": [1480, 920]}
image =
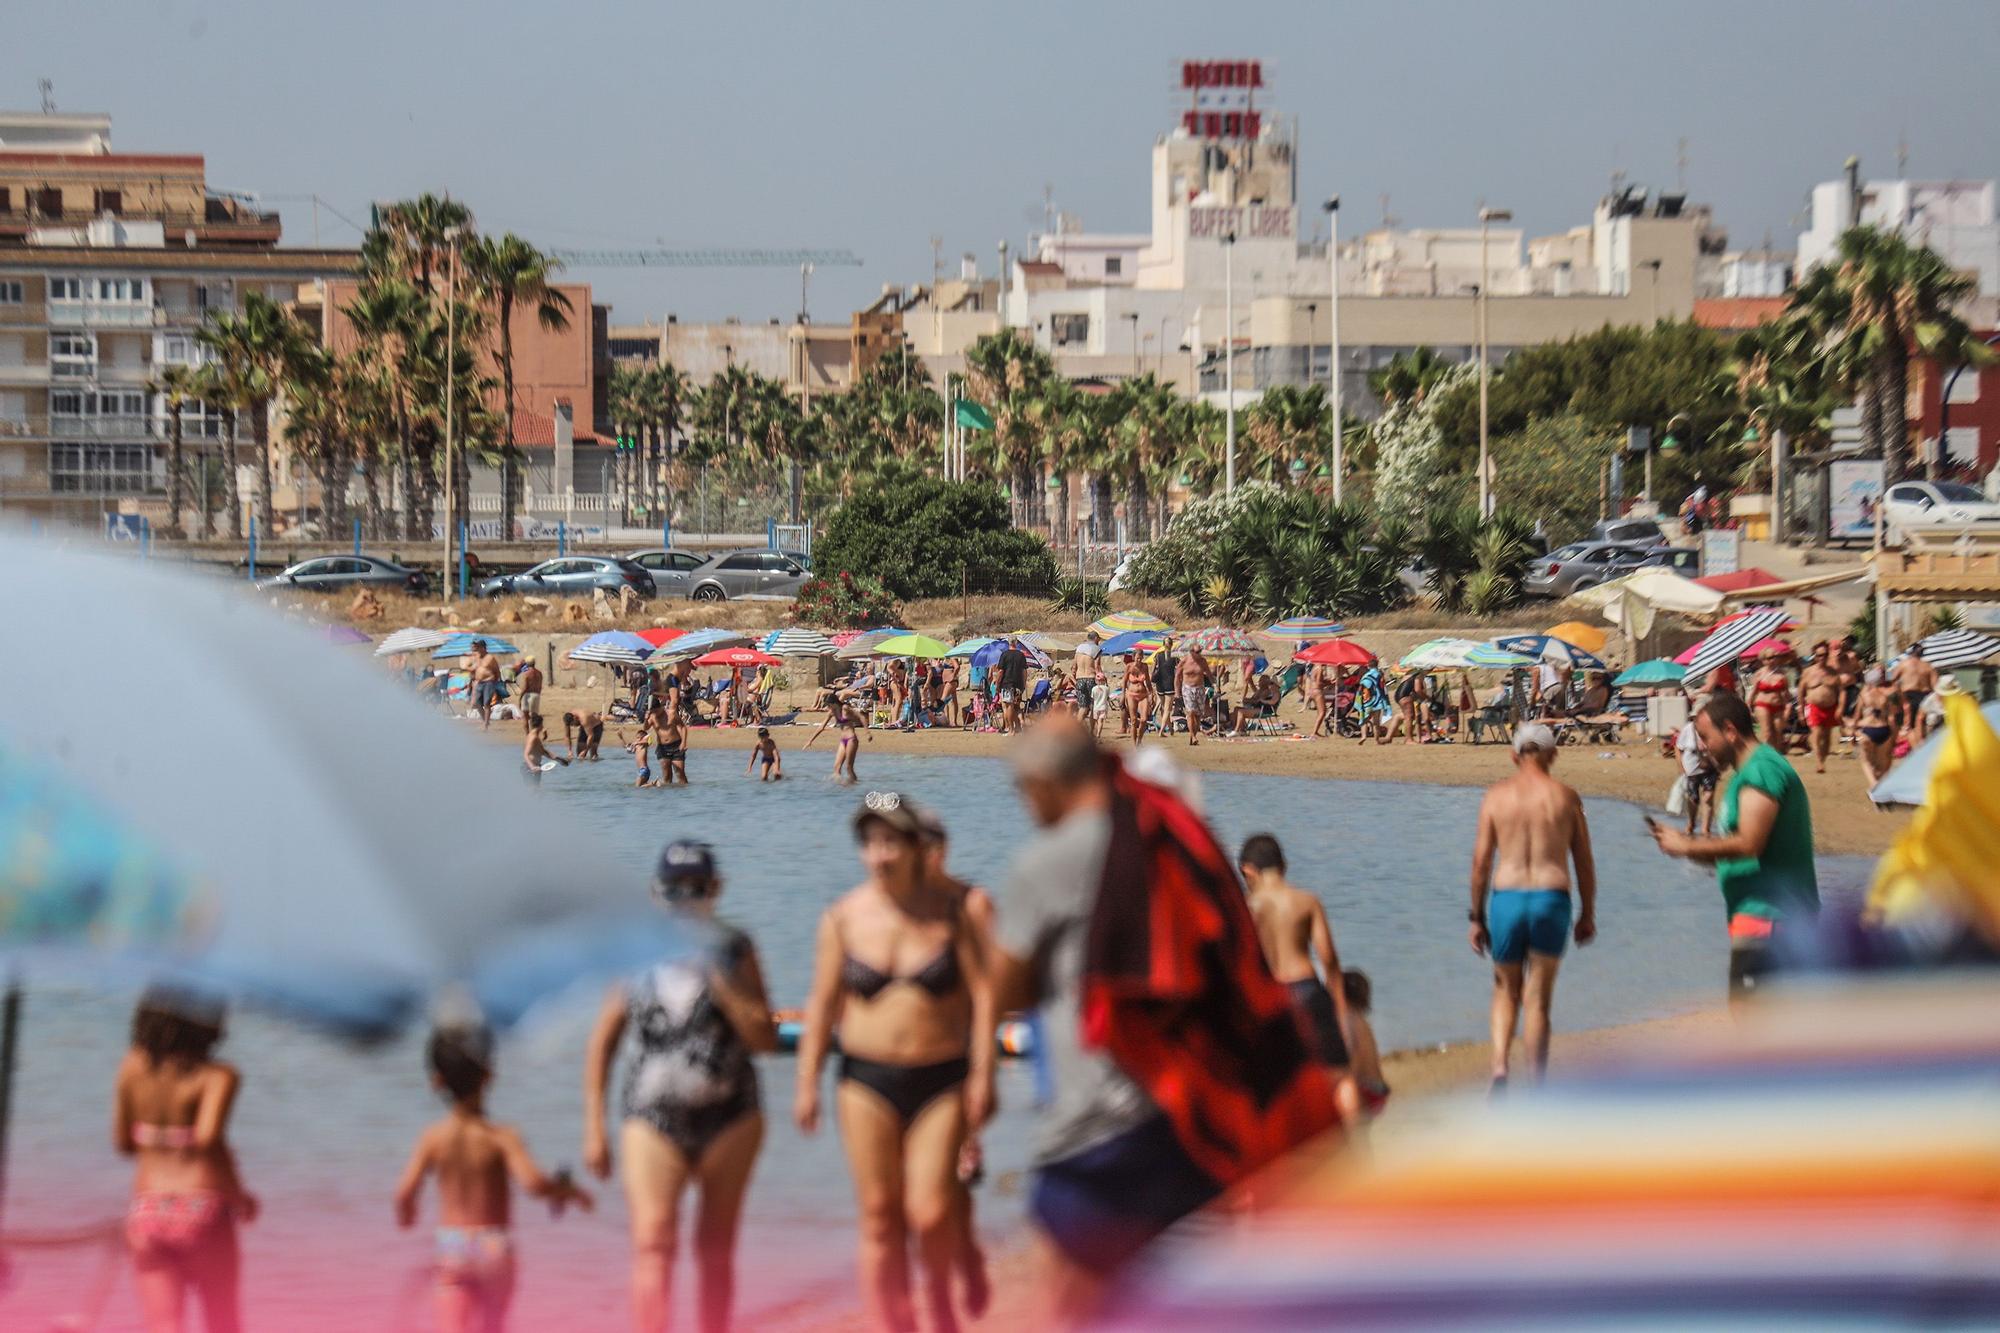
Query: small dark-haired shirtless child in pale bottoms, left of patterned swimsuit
{"type": "Point", "coordinates": [473, 1160]}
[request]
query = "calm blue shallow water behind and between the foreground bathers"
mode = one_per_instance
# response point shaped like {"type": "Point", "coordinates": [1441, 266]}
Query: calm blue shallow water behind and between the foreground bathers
{"type": "Point", "coordinates": [323, 1128]}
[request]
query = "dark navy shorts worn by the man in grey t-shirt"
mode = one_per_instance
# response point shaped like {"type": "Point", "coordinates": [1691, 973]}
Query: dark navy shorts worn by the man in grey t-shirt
{"type": "Point", "coordinates": [1107, 1204]}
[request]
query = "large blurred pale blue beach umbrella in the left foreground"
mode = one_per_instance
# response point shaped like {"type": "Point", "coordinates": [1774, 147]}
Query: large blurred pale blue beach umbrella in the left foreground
{"type": "Point", "coordinates": [339, 864]}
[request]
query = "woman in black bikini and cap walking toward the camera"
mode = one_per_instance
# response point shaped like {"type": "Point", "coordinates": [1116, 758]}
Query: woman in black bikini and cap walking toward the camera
{"type": "Point", "coordinates": [899, 970]}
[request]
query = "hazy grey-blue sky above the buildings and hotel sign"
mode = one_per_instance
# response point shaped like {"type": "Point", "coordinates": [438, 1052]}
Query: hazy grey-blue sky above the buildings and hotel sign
{"type": "Point", "coordinates": [593, 123]}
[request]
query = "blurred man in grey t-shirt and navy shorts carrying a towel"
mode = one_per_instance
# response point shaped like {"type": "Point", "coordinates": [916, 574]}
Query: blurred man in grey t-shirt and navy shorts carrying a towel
{"type": "Point", "coordinates": [1111, 1172]}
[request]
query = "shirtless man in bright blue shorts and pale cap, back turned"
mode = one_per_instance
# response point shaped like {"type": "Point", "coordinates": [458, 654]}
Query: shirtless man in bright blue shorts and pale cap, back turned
{"type": "Point", "coordinates": [1521, 910]}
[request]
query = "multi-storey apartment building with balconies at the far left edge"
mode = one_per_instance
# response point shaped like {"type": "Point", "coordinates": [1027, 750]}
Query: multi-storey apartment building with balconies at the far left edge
{"type": "Point", "coordinates": [109, 265]}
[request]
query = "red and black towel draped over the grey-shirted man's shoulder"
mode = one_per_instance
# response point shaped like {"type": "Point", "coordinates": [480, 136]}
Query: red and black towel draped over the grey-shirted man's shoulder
{"type": "Point", "coordinates": [1179, 996]}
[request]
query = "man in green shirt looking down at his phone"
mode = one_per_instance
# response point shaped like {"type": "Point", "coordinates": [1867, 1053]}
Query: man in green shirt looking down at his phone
{"type": "Point", "coordinates": [1763, 856]}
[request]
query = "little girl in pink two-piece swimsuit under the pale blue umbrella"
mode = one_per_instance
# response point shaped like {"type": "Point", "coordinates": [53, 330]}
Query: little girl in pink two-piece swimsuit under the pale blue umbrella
{"type": "Point", "coordinates": [171, 1114]}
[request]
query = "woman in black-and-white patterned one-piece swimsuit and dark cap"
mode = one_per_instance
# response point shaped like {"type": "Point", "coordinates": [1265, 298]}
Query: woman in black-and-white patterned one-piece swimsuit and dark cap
{"type": "Point", "coordinates": [691, 1110]}
